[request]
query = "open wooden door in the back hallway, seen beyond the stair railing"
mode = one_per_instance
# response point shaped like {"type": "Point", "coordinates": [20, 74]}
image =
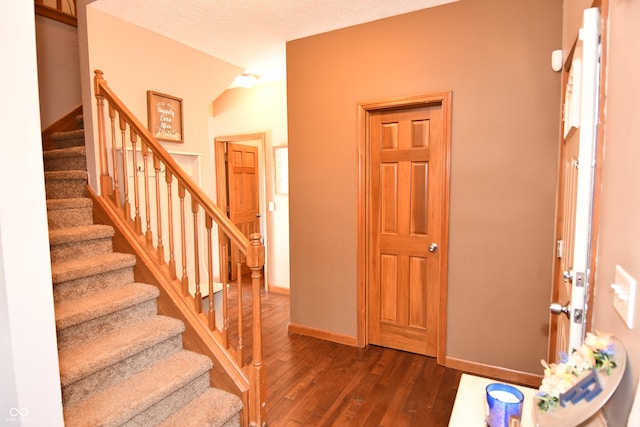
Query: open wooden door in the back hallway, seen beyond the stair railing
{"type": "Point", "coordinates": [244, 206]}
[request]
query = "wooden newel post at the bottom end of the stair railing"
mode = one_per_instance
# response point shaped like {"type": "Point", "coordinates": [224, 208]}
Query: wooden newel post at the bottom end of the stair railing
{"type": "Point", "coordinates": [257, 371]}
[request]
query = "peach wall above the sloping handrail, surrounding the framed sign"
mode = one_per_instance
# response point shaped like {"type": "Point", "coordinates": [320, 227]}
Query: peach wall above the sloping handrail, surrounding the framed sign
{"type": "Point", "coordinates": [135, 60]}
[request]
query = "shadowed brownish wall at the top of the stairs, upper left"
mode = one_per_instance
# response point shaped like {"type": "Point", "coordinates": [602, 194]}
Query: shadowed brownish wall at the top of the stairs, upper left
{"type": "Point", "coordinates": [58, 69]}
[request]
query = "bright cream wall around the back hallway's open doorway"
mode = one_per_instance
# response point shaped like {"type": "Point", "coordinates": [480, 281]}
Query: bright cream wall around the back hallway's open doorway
{"type": "Point", "coordinates": [262, 109]}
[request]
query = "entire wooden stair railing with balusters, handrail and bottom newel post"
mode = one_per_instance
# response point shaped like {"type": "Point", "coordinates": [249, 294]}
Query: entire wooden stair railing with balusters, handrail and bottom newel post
{"type": "Point", "coordinates": [132, 163]}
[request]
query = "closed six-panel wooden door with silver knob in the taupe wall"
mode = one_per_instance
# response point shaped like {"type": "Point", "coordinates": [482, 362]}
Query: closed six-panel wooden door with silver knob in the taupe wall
{"type": "Point", "coordinates": [406, 197]}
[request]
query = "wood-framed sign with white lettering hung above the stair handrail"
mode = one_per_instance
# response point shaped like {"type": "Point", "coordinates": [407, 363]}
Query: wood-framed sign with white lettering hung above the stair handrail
{"type": "Point", "coordinates": [164, 113]}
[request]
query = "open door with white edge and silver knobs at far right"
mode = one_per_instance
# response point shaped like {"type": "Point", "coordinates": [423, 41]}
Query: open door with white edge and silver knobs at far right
{"type": "Point", "coordinates": [576, 196]}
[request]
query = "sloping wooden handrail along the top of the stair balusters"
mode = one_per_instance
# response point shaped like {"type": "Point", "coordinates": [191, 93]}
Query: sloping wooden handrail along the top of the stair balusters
{"type": "Point", "coordinates": [236, 236]}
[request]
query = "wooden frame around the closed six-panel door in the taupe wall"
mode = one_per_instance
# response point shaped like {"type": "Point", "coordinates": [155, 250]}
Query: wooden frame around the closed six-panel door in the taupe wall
{"type": "Point", "coordinates": [363, 244]}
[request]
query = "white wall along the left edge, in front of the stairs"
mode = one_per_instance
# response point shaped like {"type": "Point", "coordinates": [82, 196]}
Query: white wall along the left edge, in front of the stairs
{"type": "Point", "coordinates": [30, 377]}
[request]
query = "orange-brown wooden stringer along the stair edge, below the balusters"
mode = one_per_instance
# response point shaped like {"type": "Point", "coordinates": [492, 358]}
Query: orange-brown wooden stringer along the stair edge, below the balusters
{"type": "Point", "coordinates": [226, 373]}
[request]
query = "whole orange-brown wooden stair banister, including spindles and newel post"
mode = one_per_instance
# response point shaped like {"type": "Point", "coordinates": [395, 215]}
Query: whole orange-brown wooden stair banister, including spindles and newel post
{"type": "Point", "coordinates": [118, 198]}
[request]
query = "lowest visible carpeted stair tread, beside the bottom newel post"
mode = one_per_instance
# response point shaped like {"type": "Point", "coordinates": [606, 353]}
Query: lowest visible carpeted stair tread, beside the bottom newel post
{"type": "Point", "coordinates": [214, 407]}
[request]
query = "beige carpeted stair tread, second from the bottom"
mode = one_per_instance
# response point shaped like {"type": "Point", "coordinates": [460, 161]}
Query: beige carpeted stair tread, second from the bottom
{"type": "Point", "coordinates": [118, 404]}
